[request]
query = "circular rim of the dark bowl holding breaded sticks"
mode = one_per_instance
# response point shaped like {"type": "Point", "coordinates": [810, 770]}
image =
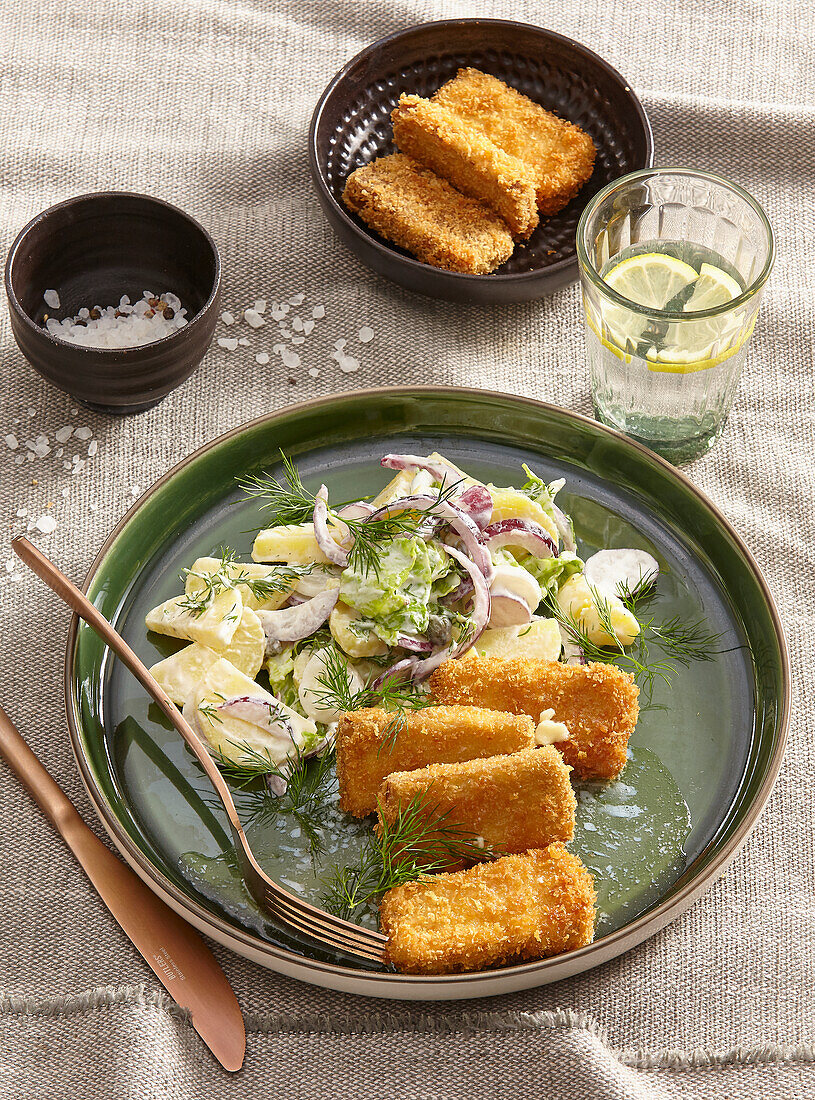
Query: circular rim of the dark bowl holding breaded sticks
{"type": "Point", "coordinates": [325, 193]}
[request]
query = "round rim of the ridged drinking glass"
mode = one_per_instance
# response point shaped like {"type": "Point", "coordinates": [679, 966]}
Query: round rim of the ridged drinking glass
{"type": "Point", "coordinates": [588, 269]}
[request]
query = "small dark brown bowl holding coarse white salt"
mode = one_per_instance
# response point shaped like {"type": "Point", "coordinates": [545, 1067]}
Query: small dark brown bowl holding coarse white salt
{"type": "Point", "coordinates": [93, 250]}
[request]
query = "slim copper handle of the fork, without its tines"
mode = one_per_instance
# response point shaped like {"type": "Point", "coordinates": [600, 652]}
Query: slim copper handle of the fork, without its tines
{"type": "Point", "coordinates": [80, 603]}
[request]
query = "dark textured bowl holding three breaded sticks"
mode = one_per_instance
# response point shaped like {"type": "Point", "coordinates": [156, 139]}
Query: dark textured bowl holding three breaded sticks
{"type": "Point", "coordinates": [351, 126]}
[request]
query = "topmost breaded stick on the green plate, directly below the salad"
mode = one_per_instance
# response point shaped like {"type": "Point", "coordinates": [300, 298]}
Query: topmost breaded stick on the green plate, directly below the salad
{"type": "Point", "coordinates": [597, 702]}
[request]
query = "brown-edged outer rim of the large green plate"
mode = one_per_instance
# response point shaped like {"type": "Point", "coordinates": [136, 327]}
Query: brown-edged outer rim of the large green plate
{"type": "Point", "coordinates": [423, 987]}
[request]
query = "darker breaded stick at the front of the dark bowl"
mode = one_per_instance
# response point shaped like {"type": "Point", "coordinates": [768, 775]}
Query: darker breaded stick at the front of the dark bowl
{"type": "Point", "coordinates": [413, 207]}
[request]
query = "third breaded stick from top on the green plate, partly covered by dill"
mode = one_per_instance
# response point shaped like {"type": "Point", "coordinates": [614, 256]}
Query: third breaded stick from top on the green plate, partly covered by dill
{"type": "Point", "coordinates": [513, 802]}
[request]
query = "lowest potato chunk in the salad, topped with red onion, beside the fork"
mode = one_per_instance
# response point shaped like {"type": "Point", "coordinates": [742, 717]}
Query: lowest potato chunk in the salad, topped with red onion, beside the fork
{"type": "Point", "coordinates": [232, 736]}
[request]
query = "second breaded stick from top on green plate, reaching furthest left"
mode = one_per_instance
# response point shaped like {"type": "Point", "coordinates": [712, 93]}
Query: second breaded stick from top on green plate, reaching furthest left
{"type": "Point", "coordinates": [372, 744]}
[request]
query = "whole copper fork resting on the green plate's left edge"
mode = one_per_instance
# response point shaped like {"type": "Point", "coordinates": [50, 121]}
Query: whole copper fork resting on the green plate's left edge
{"type": "Point", "coordinates": [284, 907]}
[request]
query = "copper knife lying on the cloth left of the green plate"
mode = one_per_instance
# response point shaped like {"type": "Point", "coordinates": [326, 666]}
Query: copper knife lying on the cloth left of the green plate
{"type": "Point", "coordinates": [172, 949]}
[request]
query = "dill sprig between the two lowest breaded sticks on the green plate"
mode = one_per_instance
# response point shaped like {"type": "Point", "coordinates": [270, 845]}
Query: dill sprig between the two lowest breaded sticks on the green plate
{"type": "Point", "coordinates": [417, 843]}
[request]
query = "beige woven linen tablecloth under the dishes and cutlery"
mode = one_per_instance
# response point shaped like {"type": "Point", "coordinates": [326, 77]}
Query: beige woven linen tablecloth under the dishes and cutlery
{"type": "Point", "coordinates": [206, 104]}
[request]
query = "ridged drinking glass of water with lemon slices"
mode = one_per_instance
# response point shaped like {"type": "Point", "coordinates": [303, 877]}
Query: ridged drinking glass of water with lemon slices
{"type": "Point", "coordinates": [665, 377]}
